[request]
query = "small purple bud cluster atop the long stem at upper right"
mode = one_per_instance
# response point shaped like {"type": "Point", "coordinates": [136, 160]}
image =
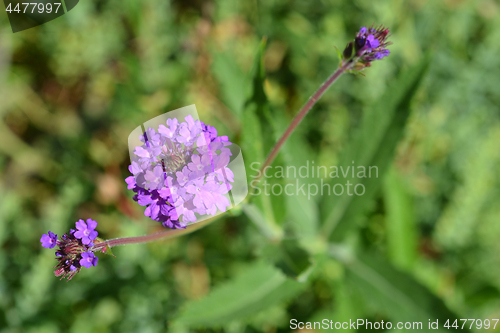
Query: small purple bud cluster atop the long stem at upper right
{"type": "Point", "coordinates": [370, 44]}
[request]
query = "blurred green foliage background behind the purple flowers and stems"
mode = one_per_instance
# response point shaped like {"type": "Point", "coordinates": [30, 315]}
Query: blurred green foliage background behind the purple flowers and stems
{"type": "Point", "coordinates": [73, 89]}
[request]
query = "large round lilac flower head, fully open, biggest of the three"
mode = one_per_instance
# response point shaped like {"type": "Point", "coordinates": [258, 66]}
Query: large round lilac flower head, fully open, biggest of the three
{"type": "Point", "coordinates": [180, 172]}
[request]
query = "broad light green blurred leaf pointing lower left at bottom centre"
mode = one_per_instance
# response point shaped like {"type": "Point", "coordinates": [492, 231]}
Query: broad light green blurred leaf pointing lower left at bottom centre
{"type": "Point", "coordinates": [258, 288]}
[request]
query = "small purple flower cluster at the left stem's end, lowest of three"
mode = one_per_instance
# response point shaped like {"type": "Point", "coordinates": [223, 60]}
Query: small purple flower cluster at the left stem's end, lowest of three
{"type": "Point", "coordinates": [74, 248]}
